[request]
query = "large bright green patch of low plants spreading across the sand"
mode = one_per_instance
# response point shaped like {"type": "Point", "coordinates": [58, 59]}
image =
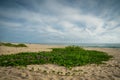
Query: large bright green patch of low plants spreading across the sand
{"type": "Point", "coordinates": [69, 57]}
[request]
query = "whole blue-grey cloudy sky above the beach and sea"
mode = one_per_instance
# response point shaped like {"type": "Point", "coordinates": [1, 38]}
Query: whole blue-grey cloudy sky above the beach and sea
{"type": "Point", "coordinates": [60, 21]}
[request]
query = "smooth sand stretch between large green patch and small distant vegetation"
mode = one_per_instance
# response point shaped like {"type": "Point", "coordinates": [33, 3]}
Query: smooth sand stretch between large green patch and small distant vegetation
{"type": "Point", "coordinates": [31, 48]}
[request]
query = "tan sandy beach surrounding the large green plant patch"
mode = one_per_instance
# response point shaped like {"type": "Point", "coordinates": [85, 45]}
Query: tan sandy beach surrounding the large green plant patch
{"type": "Point", "coordinates": [108, 71]}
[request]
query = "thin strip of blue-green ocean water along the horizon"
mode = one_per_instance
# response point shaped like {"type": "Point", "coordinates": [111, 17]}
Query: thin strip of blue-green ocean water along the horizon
{"type": "Point", "coordinates": [104, 45]}
